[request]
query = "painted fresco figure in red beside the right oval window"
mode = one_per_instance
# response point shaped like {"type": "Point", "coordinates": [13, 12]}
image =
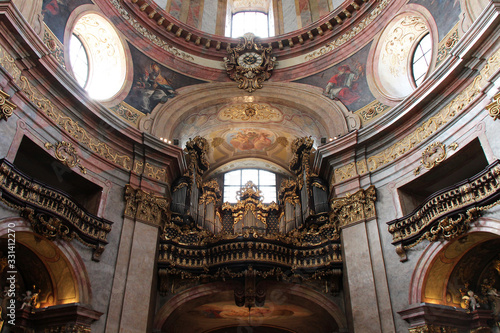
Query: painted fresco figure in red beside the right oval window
{"type": "Point", "coordinates": [342, 86]}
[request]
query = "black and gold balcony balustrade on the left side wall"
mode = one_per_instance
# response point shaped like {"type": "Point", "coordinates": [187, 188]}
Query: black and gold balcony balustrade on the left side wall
{"type": "Point", "coordinates": [52, 213]}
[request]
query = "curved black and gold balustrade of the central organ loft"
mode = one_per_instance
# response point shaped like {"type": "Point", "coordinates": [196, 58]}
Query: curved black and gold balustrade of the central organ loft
{"type": "Point", "coordinates": [196, 254]}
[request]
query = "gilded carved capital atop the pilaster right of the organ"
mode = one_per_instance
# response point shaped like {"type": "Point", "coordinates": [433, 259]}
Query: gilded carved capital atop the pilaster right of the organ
{"type": "Point", "coordinates": [353, 208]}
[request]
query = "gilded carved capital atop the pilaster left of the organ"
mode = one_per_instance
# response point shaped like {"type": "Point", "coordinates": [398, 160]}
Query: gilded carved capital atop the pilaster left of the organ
{"type": "Point", "coordinates": [146, 207]}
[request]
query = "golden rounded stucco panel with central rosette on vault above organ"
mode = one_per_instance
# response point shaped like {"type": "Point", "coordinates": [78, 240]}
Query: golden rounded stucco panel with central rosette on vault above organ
{"type": "Point", "coordinates": [254, 112]}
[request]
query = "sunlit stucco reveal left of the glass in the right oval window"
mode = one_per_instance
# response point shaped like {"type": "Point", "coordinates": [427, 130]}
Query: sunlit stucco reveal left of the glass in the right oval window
{"type": "Point", "coordinates": [399, 43]}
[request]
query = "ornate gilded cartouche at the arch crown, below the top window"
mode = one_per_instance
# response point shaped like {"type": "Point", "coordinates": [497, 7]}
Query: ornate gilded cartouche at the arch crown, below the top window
{"type": "Point", "coordinates": [249, 63]}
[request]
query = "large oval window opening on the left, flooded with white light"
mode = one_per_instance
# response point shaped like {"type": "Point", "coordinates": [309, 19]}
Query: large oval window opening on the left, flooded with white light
{"type": "Point", "coordinates": [97, 57]}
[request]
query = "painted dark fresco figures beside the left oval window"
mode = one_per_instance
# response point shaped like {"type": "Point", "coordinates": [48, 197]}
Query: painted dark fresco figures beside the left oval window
{"type": "Point", "coordinates": [152, 88]}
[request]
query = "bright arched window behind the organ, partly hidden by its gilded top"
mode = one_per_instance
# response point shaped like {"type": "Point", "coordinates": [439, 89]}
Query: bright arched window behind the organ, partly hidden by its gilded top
{"type": "Point", "coordinates": [236, 179]}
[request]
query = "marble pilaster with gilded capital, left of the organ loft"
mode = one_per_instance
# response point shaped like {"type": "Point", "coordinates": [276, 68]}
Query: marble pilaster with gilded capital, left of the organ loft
{"type": "Point", "coordinates": [134, 291]}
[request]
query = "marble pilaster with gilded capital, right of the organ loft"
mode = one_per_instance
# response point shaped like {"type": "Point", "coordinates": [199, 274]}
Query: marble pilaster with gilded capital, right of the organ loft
{"type": "Point", "coordinates": [364, 267]}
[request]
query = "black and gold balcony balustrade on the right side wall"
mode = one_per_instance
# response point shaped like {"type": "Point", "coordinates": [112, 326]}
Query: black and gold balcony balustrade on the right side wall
{"type": "Point", "coordinates": [448, 213]}
